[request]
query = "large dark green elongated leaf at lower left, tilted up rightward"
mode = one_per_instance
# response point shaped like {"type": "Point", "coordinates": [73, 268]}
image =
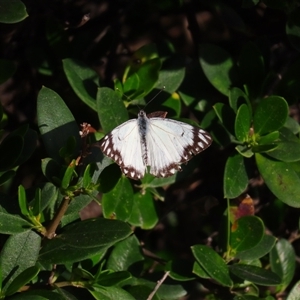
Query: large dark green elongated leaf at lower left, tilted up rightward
{"type": "Point", "coordinates": [95, 235]}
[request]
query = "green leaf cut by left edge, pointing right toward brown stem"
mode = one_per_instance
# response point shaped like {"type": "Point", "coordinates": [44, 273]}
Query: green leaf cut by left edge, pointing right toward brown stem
{"type": "Point", "coordinates": [12, 224]}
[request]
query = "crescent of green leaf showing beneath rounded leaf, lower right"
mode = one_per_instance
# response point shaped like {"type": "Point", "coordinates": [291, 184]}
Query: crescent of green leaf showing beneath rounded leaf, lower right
{"type": "Point", "coordinates": [261, 249]}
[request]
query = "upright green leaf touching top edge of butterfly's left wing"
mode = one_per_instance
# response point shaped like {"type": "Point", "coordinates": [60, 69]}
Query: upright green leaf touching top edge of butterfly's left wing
{"type": "Point", "coordinates": [111, 109]}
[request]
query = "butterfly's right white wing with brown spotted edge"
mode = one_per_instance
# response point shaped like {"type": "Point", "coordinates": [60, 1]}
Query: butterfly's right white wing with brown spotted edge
{"type": "Point", "coordinates": [171, 143]}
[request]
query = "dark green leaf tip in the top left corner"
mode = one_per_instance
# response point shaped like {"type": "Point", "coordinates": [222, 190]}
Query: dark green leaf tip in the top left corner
{"type": "Point", "coordinates": [12, 11]}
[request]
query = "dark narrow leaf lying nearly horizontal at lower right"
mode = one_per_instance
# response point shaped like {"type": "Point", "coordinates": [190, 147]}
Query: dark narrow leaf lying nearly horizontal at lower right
{"type": "Point", "coordinates": [255, 274]}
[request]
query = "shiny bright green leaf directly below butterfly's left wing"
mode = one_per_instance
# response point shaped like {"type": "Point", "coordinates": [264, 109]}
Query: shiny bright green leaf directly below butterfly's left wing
{"type": "Point", "coordinates": [118, 202]}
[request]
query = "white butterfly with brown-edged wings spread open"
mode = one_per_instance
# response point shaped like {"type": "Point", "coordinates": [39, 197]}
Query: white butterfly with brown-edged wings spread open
{"type": "Point", "coordinates": [152, 140]}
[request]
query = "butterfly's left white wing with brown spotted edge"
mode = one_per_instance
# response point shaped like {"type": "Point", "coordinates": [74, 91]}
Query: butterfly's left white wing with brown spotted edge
{"type": "Point", "coordinates": [123, 145]}
